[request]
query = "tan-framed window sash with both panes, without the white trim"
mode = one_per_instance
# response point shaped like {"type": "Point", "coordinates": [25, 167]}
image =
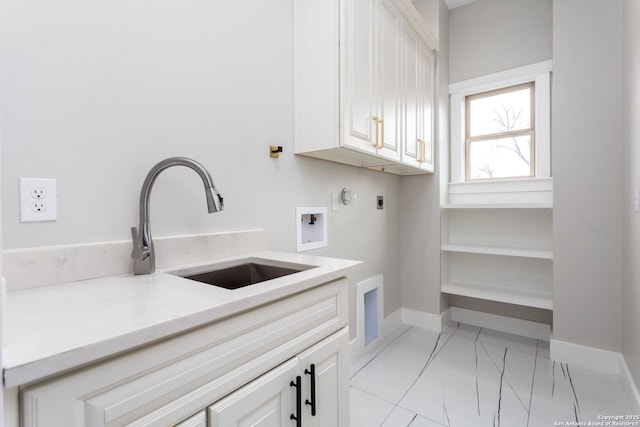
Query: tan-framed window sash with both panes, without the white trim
{"type": "Point", "coordinates": [500, 133]}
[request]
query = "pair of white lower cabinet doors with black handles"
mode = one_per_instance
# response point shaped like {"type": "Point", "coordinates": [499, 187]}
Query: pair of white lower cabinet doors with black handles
{"type": "Point", "coordinates": [310, 390]}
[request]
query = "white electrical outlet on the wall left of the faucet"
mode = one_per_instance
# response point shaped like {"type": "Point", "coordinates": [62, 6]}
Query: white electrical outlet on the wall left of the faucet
{"type": "Point", "coordinates": [38, 199]}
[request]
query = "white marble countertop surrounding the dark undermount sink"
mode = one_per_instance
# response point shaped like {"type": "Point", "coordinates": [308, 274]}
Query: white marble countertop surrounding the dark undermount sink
{"type": "Point", "coordinates": [56, 328]}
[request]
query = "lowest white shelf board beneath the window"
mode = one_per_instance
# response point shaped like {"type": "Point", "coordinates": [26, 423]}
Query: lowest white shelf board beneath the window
{"type": "Point", "coordinates": [510, 296]}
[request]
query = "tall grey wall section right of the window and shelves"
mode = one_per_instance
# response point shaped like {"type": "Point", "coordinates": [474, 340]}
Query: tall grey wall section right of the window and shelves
{"type": "Point", "coordinates": [587, 168]}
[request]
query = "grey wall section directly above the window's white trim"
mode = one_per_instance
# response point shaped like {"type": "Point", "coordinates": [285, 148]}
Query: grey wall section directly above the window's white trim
{"type": "Point", "coordinates": [488, 36]}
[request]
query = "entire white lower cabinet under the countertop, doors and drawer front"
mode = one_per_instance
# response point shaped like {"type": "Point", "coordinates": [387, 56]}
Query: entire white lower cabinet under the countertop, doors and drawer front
{"type": "Point", "coordinates": [235, 372]}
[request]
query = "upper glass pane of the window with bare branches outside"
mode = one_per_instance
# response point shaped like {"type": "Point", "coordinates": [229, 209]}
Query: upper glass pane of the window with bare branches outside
{"type": "Point", "coordinates": [500, 113]}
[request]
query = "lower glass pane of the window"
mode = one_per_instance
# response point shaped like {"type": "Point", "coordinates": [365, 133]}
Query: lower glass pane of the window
{"type": "Point", "coordinates": [500, 158]}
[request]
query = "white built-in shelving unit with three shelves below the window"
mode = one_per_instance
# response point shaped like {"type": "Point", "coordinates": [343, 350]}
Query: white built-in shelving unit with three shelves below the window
{"type": "Point", "coordinates": [498, 247]}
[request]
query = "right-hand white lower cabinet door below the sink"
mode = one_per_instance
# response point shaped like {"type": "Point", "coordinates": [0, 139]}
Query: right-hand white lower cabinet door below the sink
{"type": "Point", "coordinates": [324, 368]}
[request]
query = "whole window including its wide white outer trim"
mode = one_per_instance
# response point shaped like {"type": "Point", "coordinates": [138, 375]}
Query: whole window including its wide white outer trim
{"type": "Point", "coordinates": [501, 127]}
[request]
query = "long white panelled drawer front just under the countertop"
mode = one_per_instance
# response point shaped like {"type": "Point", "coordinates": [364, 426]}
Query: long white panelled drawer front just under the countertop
{"type": "Point", "coordinates": [182, 375]}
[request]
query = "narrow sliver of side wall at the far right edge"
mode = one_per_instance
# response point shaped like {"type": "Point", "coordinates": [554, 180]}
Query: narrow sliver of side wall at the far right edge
{"type": "Point", "coordinates": [631, 223]}
